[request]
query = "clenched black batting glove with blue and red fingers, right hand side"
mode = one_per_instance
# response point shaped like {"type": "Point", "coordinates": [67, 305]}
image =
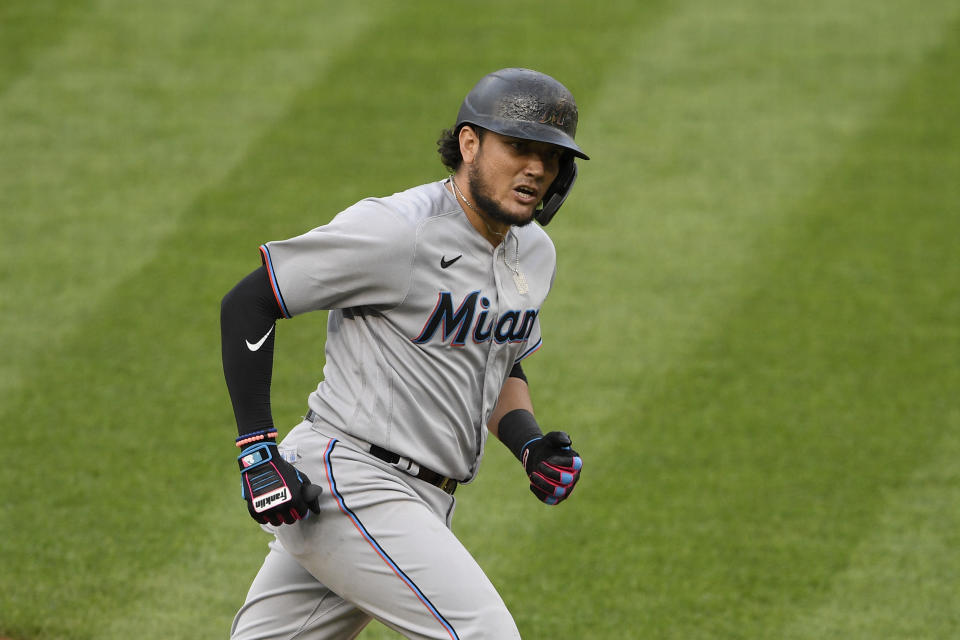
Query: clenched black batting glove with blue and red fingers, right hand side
{"type": "Point", "coordinates": [552, 466]}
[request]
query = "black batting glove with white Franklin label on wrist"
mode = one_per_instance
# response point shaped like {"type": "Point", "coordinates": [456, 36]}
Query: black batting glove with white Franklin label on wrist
{"type": "Point", "coordinates": [275, 491]}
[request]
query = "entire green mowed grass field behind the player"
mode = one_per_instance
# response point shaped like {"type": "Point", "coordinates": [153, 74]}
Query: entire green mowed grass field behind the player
{"type": "Point", "coordinates": [754, 337]}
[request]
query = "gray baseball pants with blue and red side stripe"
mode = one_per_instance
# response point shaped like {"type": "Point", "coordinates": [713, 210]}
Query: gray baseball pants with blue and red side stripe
{"type": "Point", "coordinates": [381, 548]}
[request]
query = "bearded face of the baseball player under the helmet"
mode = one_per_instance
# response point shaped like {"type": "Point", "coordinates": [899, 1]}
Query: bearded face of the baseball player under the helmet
{"type": "Point", "coordinates": [510, 176]}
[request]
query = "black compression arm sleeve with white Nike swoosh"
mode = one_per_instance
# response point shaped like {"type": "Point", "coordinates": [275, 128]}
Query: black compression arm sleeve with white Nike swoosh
{"type": "Point", "coordinates": [248, 314]}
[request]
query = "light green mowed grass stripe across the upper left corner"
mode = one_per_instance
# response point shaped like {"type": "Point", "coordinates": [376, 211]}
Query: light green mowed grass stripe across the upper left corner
{"type": "Point", "coordinates": [108, 136]}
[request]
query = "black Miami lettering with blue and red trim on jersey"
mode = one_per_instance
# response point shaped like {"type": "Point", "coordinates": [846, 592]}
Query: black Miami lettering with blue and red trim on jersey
{"type": "Point", "coordinates": [512, 326]}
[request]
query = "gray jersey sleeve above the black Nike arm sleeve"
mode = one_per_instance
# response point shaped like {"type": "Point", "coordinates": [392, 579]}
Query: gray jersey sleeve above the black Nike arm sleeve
{"type": "Point", "coordinates": [363, 257]}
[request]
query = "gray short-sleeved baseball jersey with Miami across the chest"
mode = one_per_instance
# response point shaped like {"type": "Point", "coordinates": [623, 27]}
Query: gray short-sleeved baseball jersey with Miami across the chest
{"type": "Point", "coordinates": [426, 320]}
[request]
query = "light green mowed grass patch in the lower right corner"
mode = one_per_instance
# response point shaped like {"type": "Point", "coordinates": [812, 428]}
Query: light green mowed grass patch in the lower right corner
{"type": "Point", "coordinates": [901, 580]}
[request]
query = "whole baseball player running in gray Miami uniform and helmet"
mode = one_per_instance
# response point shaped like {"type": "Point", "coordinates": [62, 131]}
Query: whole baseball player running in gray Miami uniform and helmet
{"type": "Point", "coordinates": [434, 298]}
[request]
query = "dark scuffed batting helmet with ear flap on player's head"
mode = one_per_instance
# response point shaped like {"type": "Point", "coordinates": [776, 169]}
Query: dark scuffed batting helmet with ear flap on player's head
{"type": "Point", "coordinates": [527, 104]}
